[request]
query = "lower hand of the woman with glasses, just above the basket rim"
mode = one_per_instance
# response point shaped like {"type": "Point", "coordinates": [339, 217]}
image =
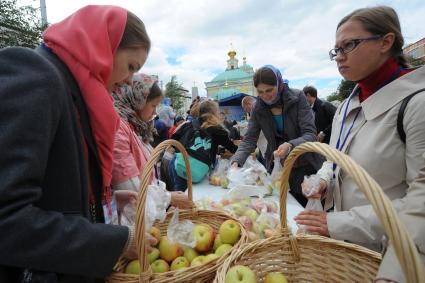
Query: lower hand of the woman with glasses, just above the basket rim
{"type": "Point", "coordinates": [313, 222]}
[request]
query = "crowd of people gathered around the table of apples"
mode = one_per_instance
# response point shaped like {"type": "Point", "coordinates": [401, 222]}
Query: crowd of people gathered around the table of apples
{"type": "Point", "coordinates": [79, 124]}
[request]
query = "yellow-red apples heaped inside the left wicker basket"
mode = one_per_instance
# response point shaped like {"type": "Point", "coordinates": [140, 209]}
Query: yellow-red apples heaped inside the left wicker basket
{"type": "Point", "coordinates": [169, 256]}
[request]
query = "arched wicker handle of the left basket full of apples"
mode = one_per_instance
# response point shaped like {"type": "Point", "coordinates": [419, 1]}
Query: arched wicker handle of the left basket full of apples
{"type": "Point", "coordinates": [145, 180]}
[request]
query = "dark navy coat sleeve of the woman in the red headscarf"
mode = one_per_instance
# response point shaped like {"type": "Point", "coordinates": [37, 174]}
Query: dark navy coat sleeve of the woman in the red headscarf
{"type": "Point", "coordinates": [41, 239]}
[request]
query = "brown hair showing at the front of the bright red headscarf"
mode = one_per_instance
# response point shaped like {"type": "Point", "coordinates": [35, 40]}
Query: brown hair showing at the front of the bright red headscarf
{"type": "Point", "coordinates": [135, 34]}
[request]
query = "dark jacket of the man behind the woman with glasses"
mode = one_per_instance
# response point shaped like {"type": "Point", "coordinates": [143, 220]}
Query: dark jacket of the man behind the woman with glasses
{"type": "Point", "coordinates": [324, 114]}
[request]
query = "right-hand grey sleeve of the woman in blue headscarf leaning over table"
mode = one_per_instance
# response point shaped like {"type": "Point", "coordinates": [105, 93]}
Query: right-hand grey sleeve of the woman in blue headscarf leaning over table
{"type": "Point", "coordinates": [305, 122]}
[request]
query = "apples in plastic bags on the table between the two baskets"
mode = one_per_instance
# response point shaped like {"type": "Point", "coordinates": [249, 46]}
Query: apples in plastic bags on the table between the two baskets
{"type": "Point", "coordinates": [259, 216]}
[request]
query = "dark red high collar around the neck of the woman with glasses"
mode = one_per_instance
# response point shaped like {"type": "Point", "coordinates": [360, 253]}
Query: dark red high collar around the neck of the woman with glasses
{"type": "Point", "coordinates": [380, 78]}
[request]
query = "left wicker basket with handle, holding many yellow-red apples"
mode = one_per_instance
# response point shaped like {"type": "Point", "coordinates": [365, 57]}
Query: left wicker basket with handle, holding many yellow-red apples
{"type": "Point", "coordinates": [202, 273]}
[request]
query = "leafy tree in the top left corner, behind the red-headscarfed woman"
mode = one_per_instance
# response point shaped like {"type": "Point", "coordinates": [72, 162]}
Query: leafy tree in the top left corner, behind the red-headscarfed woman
{"type": "Point", "coordinates": [19, 25]}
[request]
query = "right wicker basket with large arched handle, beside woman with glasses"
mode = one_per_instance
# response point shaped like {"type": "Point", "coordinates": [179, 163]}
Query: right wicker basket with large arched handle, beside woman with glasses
{"type": "Point", "coordinates": [308, 258]}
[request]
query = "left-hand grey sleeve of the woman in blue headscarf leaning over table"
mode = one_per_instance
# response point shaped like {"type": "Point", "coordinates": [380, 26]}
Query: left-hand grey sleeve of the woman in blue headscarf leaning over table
{"type": "Point", "coordinates": [249, 143]}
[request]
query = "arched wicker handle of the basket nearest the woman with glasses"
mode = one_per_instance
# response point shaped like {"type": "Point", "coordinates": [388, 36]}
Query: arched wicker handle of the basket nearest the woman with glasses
{"type": "Point", "coordinates": [404, 246]}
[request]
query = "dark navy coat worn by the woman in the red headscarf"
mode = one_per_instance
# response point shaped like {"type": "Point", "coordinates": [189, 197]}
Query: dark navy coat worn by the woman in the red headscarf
{"type": "Point", "coordinates": [44, 211]}
